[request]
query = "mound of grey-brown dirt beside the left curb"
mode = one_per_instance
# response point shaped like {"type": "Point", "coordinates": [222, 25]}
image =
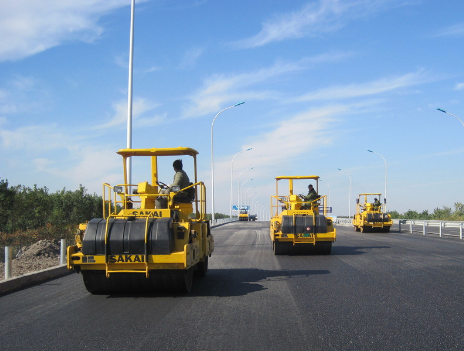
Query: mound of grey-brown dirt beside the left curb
{"type": "Point", "coordinates": [41, 255]}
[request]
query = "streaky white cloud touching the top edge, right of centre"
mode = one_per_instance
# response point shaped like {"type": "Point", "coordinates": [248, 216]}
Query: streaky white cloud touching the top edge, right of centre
{"type": "Point", "coordinates": [313, 19]}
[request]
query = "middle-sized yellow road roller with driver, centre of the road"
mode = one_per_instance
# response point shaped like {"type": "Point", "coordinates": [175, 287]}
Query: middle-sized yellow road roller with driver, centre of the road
{"type": "Point", "coordinates": [299, 225]}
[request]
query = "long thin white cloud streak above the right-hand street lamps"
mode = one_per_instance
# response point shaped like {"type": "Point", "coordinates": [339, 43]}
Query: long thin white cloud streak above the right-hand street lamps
{"type": "Point", "coordinates": [365, 89]}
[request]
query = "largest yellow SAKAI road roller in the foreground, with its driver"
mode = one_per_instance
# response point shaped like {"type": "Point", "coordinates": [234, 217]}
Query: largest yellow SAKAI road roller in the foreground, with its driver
{"type": "Point", "coordinates": [143, 244]}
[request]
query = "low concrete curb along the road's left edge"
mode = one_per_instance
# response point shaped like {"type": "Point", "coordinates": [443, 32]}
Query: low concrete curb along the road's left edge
{"type": "Point", "coordinates": [26, 280]}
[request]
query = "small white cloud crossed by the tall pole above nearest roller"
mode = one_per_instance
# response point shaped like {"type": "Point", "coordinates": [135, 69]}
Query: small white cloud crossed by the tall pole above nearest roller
{"type": "Point", "coordinates": [140, 106]}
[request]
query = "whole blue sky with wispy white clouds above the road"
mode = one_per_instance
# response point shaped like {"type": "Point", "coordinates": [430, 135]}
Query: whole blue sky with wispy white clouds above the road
{"type": "Point", "coordinates": [323, 82]}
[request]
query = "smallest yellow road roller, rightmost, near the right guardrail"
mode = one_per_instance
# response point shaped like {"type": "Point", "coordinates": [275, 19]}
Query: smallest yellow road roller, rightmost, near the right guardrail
{"type": "Point", "coordinates": [369, 216]}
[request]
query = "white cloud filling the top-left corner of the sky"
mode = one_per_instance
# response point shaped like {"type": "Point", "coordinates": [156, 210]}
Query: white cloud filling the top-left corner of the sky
{"type": "Point", "coordinates": [28, 27]}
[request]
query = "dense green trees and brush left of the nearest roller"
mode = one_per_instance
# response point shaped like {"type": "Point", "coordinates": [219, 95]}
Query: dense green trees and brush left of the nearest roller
{"type": "Point", "coordinates": [28, 215]}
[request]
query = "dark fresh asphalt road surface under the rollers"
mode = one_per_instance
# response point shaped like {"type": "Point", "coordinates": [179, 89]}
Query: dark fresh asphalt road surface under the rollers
{"type": "Point", "coordinates": [394, 291]}
